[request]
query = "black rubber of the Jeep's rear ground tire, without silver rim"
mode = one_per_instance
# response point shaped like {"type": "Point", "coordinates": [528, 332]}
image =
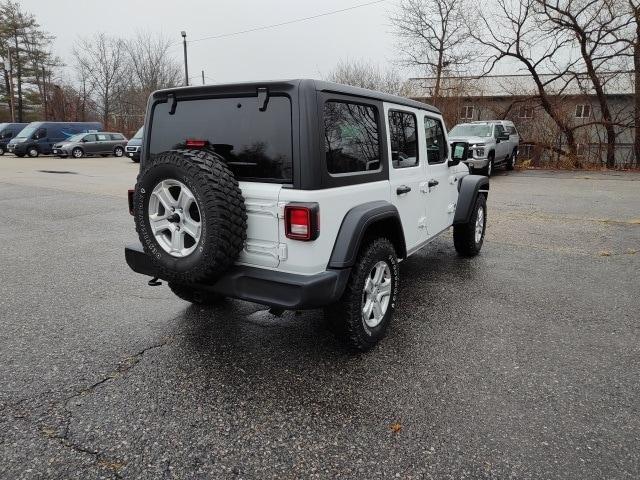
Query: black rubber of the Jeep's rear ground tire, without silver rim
{"type": "Point", "coordinates": [345, 317]}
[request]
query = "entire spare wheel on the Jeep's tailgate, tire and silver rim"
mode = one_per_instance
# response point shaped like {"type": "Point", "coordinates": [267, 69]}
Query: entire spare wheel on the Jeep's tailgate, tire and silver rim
{"type": "Point", "coordinates": [190, 215]}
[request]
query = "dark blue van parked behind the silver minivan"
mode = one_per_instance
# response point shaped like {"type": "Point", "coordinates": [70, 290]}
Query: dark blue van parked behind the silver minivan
{"type": "Point", "coordinates": [38, 138]}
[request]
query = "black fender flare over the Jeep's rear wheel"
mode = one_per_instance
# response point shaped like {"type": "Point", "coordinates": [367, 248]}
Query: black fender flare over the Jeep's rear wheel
{"type": "Point", "coordinates": [353, 229]}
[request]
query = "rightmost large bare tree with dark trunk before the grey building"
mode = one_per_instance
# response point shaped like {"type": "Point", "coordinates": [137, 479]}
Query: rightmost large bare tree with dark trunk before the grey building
{"type": "Point", "coordinates": [596, 27]}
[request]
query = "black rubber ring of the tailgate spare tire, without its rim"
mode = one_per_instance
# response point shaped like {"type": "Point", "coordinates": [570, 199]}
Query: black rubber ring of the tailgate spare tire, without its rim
{"type": "Point", "coordinates": [223, 217]}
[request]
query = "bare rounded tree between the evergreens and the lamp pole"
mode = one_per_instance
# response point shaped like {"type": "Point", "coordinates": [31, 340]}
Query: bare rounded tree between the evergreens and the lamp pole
{"type": "Point", "coordinates": [102, 59]}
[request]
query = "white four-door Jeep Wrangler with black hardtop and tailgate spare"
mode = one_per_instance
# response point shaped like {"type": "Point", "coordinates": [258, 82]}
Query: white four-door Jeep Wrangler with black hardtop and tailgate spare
{"type": "Point", "coordinates": [298, 194]}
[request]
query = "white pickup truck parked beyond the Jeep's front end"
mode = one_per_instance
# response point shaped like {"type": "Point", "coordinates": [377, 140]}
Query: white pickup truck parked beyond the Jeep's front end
{"type": "Point", "coordinates": [492, 143]}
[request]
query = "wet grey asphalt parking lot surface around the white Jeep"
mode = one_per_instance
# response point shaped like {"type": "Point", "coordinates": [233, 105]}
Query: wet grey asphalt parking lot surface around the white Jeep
{"type": "Point", "coordinates": [520, 363]}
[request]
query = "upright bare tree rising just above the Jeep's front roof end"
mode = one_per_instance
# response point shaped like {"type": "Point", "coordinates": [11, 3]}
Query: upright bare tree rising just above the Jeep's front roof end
{"type": "Point", "coordinates": [434, 36]}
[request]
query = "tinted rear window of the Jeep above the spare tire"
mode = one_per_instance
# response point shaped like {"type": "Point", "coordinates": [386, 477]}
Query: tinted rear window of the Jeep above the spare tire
{"type": "Point", "coordinates": [256, 145]}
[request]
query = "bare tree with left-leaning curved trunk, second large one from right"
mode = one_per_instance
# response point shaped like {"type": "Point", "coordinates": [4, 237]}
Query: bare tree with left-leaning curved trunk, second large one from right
{"type": "Point", "coordinates": [521, 39]}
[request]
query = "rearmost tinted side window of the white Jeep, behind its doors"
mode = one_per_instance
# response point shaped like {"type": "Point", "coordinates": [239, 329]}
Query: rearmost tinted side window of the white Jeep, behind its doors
{"type": "Point", "coordinates": [351, 137]}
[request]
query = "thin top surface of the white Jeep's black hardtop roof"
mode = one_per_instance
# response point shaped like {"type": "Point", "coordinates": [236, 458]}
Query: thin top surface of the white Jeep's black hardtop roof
{"type": "Point", "coordinates": [319, 85]}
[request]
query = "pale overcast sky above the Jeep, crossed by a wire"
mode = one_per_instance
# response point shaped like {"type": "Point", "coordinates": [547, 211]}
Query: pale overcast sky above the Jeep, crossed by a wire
{"type": "Point", "coordinates": [305, 49]}
